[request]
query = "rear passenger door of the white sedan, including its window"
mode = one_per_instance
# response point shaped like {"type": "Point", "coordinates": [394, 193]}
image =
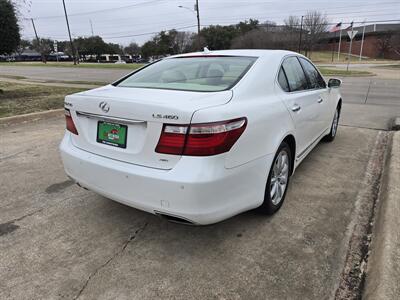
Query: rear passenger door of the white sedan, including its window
{"type": "Point", "coordinates": [300, 102]}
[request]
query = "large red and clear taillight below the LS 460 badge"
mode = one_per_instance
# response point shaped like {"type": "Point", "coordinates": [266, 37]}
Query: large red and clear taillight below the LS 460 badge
{"type": "Point", "coordinates": [200, 139]}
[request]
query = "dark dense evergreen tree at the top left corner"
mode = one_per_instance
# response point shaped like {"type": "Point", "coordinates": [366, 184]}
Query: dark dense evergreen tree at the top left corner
{"type": "Point", "coordinates": [9, 29]}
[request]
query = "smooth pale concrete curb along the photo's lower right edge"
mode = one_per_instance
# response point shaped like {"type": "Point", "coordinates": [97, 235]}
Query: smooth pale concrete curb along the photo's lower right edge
{"type": "Point", "coordinates": [383, 271]}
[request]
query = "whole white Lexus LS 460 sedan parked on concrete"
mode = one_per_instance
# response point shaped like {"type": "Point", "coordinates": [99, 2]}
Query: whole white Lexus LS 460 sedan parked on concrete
{"type": "Point", "coordinates": [200, 137]}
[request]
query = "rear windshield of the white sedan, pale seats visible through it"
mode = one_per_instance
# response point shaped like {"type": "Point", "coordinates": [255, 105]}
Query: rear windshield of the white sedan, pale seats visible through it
{"type": "Point", "coordinates": [199, 74]}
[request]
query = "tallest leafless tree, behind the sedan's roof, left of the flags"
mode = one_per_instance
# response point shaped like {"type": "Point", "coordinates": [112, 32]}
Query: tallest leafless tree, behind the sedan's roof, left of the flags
{"type": "Point", "coordinates": [315, 24]}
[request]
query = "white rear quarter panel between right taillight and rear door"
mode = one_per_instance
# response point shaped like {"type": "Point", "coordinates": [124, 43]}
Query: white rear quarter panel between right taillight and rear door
{"type": "Point", "coordinates": [268, 122]}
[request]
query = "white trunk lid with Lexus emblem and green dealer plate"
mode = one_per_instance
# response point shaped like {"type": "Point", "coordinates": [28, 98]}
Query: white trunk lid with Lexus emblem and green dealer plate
{"type": "Point", "coordinates": [136, 116]}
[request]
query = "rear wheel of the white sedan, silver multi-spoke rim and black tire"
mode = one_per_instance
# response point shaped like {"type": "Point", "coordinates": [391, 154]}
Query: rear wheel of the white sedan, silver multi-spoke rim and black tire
{"type": "Point", "coordinates": [275, 193]}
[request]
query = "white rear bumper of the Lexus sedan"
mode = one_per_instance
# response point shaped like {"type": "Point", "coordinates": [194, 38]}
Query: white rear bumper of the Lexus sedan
{"type": "Point", "coordinates": [199, 189]}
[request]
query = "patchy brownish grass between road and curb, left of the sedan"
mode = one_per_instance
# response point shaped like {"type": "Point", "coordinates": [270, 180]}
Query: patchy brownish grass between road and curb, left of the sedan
{"type": "Point", "coordinates": [16, 99]}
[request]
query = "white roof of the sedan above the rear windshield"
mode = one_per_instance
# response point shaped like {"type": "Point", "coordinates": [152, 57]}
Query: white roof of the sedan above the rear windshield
{"type": "Point", "coordinates": [239, 52]}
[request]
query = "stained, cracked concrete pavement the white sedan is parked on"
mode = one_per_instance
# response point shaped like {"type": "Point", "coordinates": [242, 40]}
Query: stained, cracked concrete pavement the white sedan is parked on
{"type": "Point", "coordinates": [60, 241]}
